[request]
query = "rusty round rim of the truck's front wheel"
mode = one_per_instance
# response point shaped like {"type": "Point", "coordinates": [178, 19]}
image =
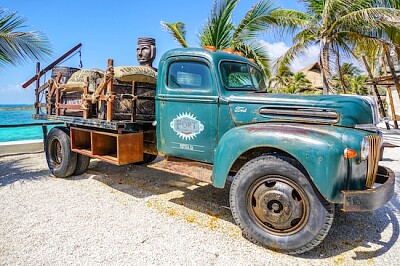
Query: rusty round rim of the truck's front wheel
{"type": "Point", "coordinates": [278, 205]}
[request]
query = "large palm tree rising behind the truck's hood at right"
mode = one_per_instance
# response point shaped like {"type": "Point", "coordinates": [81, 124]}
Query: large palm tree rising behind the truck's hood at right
{"type": "Point", "coordinates": [337, 26]}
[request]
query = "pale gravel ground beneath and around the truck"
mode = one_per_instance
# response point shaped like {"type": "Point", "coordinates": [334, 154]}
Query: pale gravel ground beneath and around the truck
{"type": "Point", "coordinates": [133, 215]}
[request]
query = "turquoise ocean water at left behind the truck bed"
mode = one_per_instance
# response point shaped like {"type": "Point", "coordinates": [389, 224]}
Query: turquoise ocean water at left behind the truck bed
{"type": "Point", "coordinates": [11, 114]}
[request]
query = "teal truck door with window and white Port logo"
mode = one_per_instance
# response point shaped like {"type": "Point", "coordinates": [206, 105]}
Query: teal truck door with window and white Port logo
{"type": "Point", "coordinates": [187, 110]}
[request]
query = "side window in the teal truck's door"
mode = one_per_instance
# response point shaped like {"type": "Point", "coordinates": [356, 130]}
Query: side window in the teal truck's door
{"type": "Point", "coordinates": [190, 75]}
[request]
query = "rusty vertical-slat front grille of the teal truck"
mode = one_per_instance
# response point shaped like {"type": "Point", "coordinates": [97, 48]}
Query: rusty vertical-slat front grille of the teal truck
{"type": "Point", "coordinates": [373, 159]}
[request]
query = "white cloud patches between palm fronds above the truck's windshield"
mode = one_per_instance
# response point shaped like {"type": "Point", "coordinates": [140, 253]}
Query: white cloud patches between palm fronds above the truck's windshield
{"type": "Point", "coordinates": [279, 48]}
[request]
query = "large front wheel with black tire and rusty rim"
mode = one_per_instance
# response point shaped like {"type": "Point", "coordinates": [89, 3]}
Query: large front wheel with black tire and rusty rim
{"type": "Point", "coordinates": [276, 206]}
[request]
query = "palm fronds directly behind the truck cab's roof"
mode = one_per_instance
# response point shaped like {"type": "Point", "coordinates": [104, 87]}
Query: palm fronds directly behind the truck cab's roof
{"type": "Point", "coordinates": [221, 32]}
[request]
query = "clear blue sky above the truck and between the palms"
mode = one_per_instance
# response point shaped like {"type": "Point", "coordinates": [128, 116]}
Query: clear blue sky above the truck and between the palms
{"type": "Point", "coordinates": [110, 30]}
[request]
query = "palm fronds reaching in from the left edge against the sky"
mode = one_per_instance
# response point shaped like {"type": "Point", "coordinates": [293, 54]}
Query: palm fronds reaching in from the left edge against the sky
{"type": "Point", "coordinates": [16, 46]}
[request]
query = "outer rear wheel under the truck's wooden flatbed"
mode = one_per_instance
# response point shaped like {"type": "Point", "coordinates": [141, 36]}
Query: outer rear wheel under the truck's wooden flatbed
{"type": "Point", "coordinates": [60, 159]}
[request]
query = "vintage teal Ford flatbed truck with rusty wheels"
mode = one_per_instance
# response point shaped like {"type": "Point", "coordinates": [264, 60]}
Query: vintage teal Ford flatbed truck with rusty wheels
{"type": "Point", "coordinates": [292, 158]}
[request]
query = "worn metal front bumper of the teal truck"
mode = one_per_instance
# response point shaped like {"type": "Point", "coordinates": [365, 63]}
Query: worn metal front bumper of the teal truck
{"type": "Point", "coordinates": [371, 199]}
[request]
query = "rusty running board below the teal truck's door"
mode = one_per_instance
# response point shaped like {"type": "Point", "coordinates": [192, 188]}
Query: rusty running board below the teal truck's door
{"type": "Point", "coordinates": [193, 169]}
